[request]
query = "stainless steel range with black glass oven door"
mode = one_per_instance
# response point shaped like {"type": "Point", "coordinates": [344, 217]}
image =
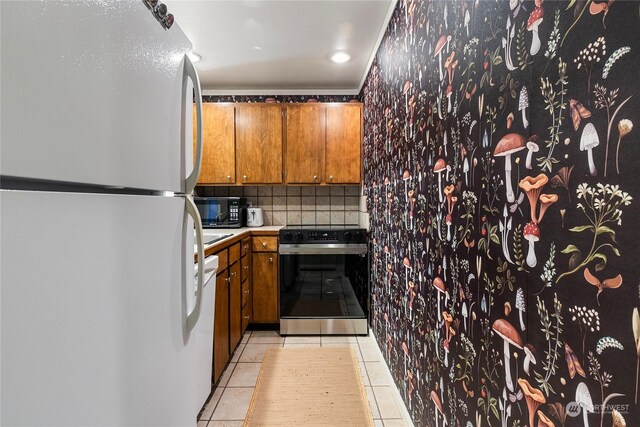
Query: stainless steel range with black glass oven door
{"type": "Point", "coordinates": [324, 281]}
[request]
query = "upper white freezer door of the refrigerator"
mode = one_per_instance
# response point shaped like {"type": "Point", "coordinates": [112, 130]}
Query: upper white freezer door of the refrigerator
{"type": "Point", "coordinates": [92, 92]}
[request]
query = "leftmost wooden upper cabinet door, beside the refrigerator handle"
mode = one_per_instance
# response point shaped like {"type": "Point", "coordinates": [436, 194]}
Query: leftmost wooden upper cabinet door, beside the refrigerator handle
{"type": "Point", "coordinates": [218, 153]}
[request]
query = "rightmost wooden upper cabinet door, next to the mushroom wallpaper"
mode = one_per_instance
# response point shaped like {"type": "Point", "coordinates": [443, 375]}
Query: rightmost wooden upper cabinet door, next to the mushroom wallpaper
{"type": "Point", "coordinates": [344, 139]}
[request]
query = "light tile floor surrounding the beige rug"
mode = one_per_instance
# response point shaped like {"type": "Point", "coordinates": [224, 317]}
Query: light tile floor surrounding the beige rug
{"type": "Point", "coordinates": [230, 400]}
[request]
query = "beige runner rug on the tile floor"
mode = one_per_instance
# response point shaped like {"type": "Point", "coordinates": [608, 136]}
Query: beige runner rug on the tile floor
{"type": "Point", "coordinates": [307, 387]}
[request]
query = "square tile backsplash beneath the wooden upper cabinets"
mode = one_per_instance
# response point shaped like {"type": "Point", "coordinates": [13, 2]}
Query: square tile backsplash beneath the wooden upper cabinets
{"type": "Point", "coordinates": [336, 205]}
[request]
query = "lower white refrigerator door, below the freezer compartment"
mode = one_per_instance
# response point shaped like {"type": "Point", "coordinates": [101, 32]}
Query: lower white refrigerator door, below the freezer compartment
{"type": "Point", "coordinates": [96, 290]}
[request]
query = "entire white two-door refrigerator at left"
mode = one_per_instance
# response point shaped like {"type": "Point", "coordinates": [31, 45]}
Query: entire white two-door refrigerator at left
{"type": "Point", "coordinates": [101, 318]}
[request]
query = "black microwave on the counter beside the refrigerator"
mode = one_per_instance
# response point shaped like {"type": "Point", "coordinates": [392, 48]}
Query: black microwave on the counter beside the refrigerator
{"type": "Point", "coordinates": [222, 212]}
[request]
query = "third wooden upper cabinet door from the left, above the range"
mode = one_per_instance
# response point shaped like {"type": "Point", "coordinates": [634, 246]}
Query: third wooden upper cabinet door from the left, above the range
{"type": "Point", "coordinates": [305, 136]}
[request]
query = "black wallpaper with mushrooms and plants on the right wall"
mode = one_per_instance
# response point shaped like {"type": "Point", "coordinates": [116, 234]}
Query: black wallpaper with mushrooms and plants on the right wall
{"type": "Point", "coordinates": [502, 157]}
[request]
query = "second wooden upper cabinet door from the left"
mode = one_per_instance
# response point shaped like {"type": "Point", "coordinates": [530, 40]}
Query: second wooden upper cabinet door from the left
{"type": "Point", "coordinates": [259, 143]}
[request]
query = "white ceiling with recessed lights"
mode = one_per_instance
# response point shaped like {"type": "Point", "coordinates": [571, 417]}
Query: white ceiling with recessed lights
{"type": "Point", "coordinates": [273, 47]}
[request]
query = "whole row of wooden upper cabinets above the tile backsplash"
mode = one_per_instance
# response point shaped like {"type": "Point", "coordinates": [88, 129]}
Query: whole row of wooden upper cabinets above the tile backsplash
{"type": "Point", "coordinates": [245, 143]}
